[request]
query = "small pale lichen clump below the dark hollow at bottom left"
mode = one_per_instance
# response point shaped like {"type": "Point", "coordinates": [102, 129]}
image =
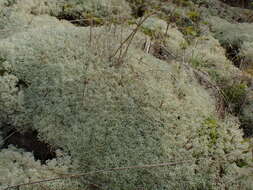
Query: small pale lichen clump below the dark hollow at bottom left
{"type": "Point", "coordinates": [18, 166]}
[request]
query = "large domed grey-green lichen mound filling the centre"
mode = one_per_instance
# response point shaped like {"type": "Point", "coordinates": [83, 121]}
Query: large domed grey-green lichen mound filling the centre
{"type": "Point", "coordinates": [107, 116]}
